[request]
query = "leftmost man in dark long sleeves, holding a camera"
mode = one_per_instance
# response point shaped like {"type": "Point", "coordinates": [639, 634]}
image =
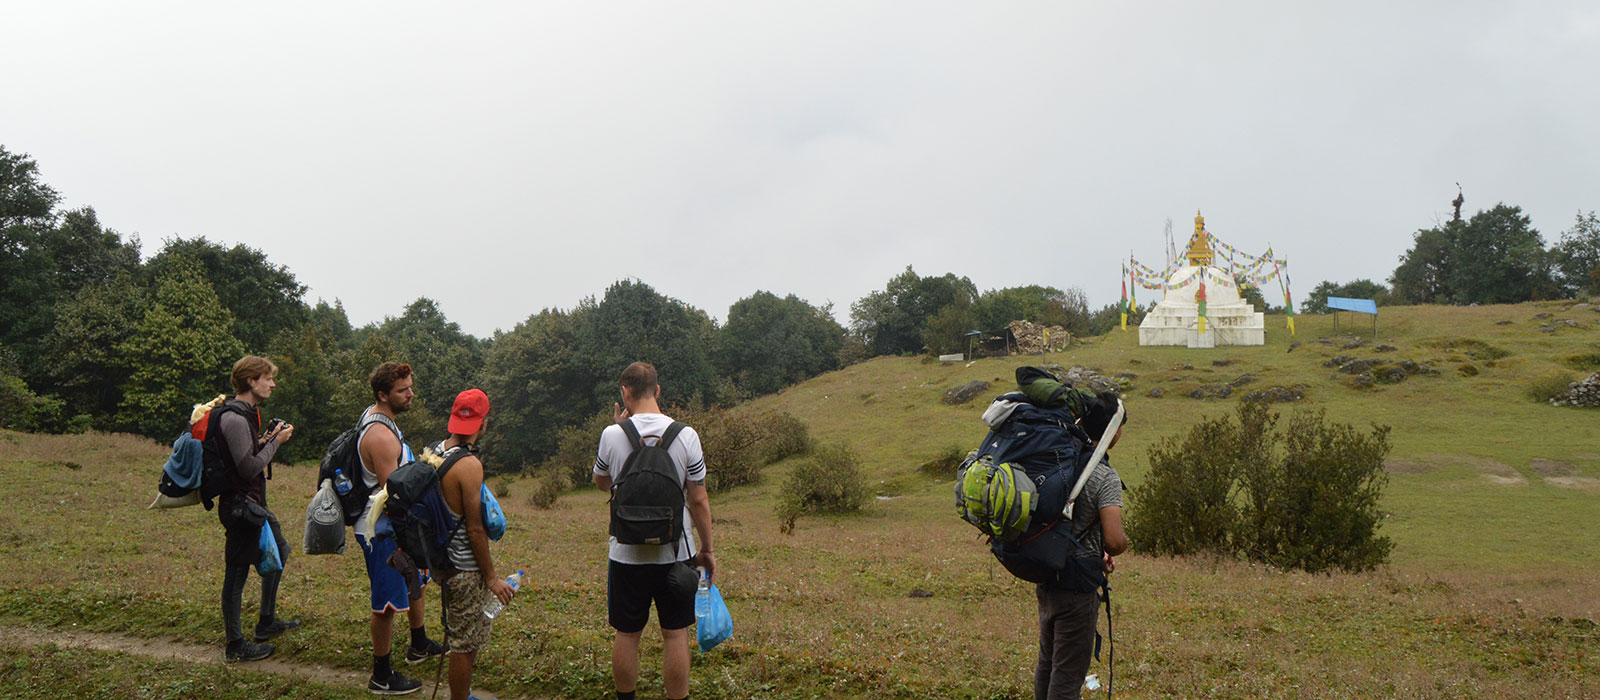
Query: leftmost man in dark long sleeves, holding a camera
{"type": "Point", "coordinates": [236, 447]}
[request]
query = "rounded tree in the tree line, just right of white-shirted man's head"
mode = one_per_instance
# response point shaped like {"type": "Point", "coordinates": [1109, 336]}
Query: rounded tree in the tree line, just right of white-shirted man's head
{"type": "Point", "coordinates": [772, 343]}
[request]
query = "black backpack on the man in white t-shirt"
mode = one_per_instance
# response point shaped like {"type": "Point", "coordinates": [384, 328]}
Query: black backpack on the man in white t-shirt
{"type": "Point", "coordinates": [647, 499]}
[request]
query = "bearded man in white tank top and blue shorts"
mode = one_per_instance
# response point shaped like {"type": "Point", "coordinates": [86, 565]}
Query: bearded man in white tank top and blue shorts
{"type": "Point", "coordinates": [383, 450]}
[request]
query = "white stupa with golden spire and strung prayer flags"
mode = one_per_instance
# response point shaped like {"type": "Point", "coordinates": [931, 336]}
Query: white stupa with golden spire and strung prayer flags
{"type": "Point", "coordinates": [1202, 304]}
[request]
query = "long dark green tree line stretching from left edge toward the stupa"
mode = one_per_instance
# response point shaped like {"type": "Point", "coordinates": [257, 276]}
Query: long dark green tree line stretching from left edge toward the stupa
{"type": "Point", "coordinates": [92, 338]}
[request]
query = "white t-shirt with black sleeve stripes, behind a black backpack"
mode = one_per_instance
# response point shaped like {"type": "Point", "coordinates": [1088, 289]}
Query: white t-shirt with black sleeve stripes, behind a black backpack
{"type": "Point", "coordinates": [686, 456]}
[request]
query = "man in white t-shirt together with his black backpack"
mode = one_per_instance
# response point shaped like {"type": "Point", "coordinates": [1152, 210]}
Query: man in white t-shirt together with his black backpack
{"type": "Point", "coordinates": [655, 496]}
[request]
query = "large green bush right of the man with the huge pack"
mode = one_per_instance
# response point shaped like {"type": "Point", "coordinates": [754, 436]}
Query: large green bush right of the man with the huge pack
{"type": "Point", "coordinates": [1302, 496]}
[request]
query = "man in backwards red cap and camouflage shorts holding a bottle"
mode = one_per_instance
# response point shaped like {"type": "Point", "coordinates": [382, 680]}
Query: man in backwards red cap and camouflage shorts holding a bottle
{"type": "Point", "coordinates": [474, 581]}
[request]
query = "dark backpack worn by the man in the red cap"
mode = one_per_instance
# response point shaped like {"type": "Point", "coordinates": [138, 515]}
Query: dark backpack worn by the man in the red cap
{"type": "Point", "coordinates": [417, 509]}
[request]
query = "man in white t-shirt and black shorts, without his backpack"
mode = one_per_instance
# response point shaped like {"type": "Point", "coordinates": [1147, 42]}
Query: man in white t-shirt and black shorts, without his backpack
{"type": "Point", "coordinates": [638, 575]}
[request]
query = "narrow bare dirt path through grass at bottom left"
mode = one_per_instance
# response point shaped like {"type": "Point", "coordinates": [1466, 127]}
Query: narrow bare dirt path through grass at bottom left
{"type": "Point", "coordinates": [166, 650]}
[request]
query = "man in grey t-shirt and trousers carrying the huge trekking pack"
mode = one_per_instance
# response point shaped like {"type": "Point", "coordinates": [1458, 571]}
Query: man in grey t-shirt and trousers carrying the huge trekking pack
{"type": "Point", "coordinates": [1068, 619]}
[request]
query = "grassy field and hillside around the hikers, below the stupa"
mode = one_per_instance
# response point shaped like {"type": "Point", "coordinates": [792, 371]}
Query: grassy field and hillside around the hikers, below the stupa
{"type": "Point", "coordinates": [1492, 591]}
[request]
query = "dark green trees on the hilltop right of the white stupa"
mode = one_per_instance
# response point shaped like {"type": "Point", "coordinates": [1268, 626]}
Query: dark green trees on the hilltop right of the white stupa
{"type": "Point", "coordinates": [1494, 258]}
